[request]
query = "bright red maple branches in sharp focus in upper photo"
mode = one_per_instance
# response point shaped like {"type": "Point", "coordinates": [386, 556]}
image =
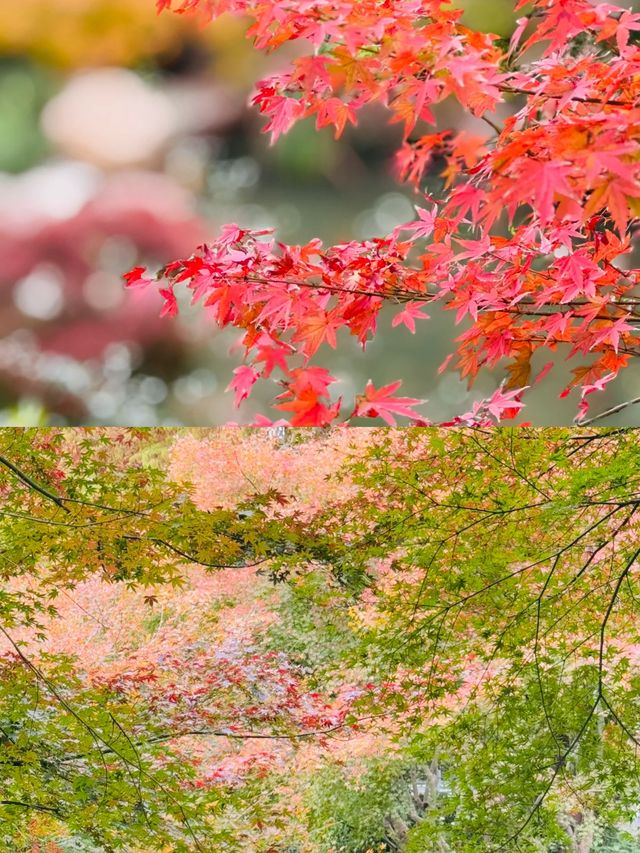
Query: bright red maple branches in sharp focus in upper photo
{"type": "Point", "coordinates": [526, 234]}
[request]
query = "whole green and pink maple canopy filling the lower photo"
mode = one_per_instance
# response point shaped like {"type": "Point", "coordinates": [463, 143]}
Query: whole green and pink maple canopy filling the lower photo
{"type": "Point", "coordinates": [404, 640]}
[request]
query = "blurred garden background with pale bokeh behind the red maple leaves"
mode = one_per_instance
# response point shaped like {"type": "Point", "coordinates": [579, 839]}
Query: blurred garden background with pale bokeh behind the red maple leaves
{"type": "Point", "coordinates": [125, 139]}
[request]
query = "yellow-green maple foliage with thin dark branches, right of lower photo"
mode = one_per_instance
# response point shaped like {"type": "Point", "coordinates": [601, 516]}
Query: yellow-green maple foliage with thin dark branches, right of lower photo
{"type": "Point", "coordinates": [498, 610]}
